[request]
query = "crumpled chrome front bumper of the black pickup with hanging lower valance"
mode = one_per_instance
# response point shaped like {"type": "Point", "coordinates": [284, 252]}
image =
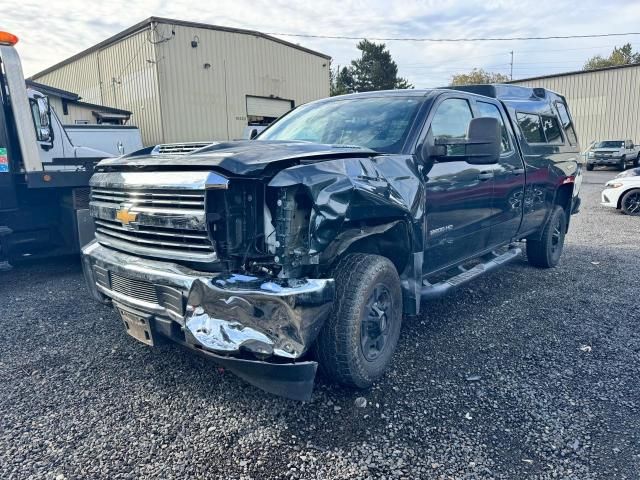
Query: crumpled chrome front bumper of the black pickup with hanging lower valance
{"type": "Point", "coordinates": [259, 328]}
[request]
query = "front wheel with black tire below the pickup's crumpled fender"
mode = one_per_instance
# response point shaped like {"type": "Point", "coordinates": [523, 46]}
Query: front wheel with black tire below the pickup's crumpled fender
{"type": "Point", "coordinates": [365, 286]}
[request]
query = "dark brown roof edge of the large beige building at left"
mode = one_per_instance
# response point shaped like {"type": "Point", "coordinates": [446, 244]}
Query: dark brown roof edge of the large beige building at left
{"type": "Point", "coordinates": [170, 21]}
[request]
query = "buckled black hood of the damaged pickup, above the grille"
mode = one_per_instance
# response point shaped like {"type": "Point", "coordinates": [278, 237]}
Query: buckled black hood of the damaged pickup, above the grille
{"type": "Point", "coordinates": [247, 157]}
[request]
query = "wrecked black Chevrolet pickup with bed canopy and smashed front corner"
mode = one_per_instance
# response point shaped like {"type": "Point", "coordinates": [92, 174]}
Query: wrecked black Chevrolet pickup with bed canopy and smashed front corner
{"type": "Point", "coordinates": [307, 245]}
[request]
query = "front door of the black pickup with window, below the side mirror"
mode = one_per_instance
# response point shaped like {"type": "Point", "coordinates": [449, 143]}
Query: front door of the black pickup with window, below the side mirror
{"type": "Point", "coordinates": [458, 194]}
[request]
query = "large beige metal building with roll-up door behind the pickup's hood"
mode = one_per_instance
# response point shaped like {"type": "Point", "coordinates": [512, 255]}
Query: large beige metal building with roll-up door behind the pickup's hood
{"type": "Point", "coordinates": [186, 81]}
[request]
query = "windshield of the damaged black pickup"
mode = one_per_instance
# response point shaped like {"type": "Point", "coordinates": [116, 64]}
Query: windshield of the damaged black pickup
{"type": "Point", "coordinates": [380, 123]}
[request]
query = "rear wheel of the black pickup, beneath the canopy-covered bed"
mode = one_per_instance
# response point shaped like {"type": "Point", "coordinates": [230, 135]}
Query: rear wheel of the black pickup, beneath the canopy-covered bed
{"type": "Point", "coordinates": [545, 252]}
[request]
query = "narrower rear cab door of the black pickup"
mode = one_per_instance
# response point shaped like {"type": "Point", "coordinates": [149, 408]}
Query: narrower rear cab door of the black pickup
{"type": "Point", "coordinates": [508, 181]}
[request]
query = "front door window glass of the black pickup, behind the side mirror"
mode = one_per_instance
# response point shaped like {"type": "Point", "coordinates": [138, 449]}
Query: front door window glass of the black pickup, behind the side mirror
{"type": "Point", "coordinates": [451, 120]}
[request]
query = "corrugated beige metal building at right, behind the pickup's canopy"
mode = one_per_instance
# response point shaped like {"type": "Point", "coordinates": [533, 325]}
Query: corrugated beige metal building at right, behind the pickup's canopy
{"type": "Point", "coordinates": [605, 103]}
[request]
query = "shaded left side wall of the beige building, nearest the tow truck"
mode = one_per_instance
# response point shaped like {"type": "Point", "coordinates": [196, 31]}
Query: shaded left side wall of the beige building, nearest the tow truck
{"type": "Point", "coordinates": [121, 75]}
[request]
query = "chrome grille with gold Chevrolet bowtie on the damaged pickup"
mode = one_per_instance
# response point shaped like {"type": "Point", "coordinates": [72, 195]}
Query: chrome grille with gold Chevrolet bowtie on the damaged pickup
{"type": "Point", "coordinates": [156, 214]}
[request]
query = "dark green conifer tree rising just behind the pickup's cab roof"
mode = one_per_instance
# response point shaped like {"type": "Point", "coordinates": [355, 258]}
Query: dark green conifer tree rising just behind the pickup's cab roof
{"type": "Point", "coordinates": [374, 70]}
